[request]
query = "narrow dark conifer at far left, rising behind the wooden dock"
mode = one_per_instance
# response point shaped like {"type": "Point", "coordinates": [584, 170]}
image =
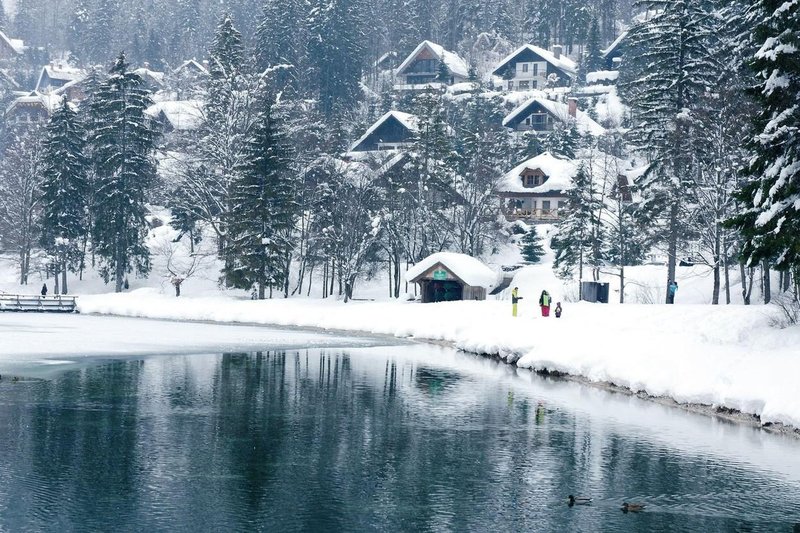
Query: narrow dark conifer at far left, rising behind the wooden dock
{"type": "Point", "coordinates": [65, 191]}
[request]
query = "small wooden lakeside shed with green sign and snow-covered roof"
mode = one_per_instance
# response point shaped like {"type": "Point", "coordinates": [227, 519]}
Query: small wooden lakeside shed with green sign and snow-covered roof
{"type": "Point", "coordinates": [447, 277]}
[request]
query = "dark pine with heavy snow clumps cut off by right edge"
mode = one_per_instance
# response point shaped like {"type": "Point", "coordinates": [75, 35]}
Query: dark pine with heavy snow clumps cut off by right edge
{"type": "Point", "coordinates": [770, 223]}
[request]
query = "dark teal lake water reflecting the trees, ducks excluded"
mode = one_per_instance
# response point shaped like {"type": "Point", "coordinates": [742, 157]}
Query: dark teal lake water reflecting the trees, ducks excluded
{"type": "Point", "coordinates": [380, 439]}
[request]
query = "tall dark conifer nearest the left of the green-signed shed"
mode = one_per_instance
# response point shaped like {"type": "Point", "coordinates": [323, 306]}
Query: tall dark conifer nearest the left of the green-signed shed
{"type": "Point", "coordinates": [263, 210]}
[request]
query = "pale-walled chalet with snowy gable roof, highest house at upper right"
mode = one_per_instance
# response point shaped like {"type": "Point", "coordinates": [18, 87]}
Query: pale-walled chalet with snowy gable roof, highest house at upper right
{"type": "Point", "coordinates": [531, 67]}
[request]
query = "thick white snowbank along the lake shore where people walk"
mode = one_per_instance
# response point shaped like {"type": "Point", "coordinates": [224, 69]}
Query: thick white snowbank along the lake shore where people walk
{"type": "Point", "coordinates": [724, 356]}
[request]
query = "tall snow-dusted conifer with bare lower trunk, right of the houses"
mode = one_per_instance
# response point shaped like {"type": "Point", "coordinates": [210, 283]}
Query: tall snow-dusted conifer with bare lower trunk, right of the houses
{"type": "Point", "coordinates": [664, 84]}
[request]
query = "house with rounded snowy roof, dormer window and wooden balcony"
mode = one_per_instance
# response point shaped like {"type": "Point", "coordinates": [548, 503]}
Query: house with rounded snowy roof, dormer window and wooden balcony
{"type": "Point", "coordinates": [536, 189]}
